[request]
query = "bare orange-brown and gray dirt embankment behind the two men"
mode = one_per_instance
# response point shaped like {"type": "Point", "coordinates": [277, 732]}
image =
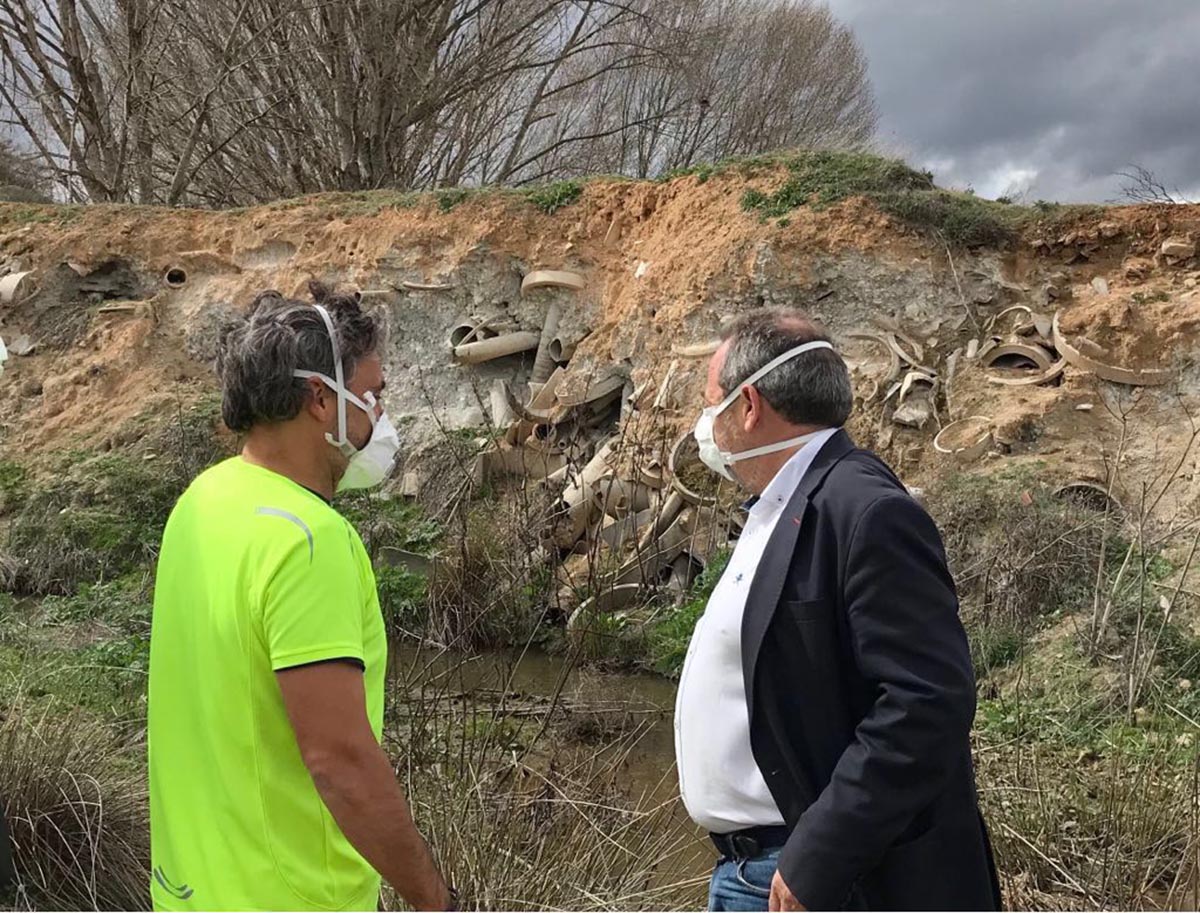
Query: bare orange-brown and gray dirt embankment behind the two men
{"type": "Point", "coordinates": [123, 305]}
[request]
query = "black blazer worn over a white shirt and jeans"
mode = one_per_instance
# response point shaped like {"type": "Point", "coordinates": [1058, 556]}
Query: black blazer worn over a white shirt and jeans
{"type": "Point", "coordinates": [861, 696]}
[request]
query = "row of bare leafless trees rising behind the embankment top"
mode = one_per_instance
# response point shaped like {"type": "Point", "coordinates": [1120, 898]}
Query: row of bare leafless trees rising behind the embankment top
{"type": "Point", "coordinates": [229, 103]}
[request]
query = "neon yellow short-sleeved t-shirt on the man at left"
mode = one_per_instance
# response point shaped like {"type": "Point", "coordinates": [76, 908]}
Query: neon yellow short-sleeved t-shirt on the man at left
{"type": "Point", "coordinates": [257, 574]}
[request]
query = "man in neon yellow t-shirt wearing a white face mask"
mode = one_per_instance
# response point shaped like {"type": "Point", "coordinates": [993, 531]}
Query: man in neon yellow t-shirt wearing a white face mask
{"type": "Point", "coordinates": [269, 789]}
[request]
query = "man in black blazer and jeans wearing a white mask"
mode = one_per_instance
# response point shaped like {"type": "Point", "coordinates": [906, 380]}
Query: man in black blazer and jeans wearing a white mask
{"type": "Point", "coordinates": [825, 707]}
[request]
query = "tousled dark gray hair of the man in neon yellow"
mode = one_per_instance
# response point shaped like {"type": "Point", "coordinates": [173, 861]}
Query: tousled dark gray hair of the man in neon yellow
{"type": "Point", "coordinates": [259, 355]}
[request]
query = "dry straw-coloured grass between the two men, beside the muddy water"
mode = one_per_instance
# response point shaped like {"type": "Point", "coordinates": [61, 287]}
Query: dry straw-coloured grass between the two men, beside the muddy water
{"type": "Point", "coordinates": [524, 818]}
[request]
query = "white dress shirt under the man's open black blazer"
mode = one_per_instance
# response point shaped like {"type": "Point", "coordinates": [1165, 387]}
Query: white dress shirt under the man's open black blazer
{"type": "Point", "coordinates": [722, 786]}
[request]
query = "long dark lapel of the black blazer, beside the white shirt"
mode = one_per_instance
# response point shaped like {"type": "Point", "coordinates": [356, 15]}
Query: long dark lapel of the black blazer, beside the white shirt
{"type": "Point", "coordinates": [769, 581]}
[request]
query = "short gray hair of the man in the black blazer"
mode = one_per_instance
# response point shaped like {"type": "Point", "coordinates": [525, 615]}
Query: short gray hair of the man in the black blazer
{"type": "Point", "coordinates": [811, 389]}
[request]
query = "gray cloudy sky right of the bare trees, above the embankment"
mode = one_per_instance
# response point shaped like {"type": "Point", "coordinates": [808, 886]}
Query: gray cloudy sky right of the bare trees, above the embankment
{"type": "Point", "coordinates": [1046, 97]}
